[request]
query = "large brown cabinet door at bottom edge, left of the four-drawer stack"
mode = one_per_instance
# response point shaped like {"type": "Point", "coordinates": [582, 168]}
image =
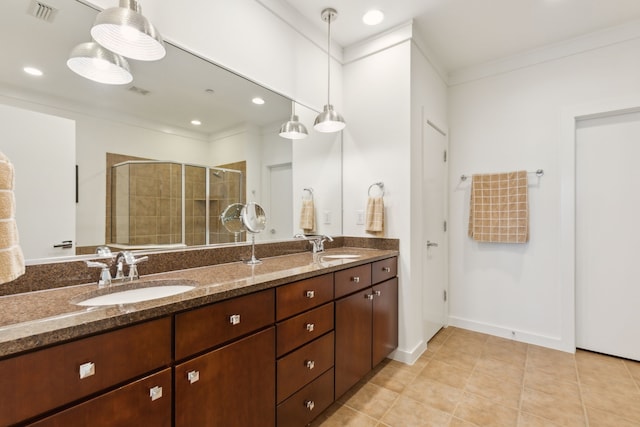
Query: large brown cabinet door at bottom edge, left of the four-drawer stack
{"type": "Point", "coordinates": [231, 386]}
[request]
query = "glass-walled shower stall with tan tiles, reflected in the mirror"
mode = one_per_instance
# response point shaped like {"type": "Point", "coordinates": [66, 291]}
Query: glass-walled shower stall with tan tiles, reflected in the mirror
{"type": "Point", "coordinates": [168, 204]}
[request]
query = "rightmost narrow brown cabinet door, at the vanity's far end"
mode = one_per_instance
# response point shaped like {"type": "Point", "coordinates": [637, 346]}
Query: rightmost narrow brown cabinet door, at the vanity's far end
{"type": "Point", "coordinates": [385, 319]}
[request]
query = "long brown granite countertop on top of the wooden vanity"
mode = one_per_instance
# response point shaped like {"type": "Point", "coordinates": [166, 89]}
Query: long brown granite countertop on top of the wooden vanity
{"type": "Point", "coordinates": [41, 318]}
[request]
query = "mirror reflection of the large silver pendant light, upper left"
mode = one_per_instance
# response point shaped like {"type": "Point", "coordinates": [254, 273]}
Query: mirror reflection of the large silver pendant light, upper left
{"type": "Point", "coordinates": [94, 62]}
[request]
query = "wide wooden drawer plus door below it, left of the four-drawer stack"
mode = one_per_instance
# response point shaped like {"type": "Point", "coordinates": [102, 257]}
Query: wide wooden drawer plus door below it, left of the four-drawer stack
{"type": "Point", "coordinates": [233, 382]}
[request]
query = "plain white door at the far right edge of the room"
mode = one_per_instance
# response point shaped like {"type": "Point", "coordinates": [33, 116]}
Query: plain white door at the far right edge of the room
{"type": "Point", "coordinates": [607, 235]}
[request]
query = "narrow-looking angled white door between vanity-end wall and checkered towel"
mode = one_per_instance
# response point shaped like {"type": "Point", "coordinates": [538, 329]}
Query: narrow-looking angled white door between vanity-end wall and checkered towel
{"type": "Point", "coordinates": [434, 172]}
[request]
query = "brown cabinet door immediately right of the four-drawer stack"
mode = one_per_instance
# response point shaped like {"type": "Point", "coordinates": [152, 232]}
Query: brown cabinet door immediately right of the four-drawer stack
{"type": "Point", "coordinates": [353, 339]}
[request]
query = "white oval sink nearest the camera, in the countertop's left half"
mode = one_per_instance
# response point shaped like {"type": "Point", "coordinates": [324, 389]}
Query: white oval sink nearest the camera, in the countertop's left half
{"type": "Point", "coordinates": [135, 292]}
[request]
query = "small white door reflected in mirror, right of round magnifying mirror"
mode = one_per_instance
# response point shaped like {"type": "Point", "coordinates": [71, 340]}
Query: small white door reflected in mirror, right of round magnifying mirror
{"type": "Point", "coordinates": [280, 214]}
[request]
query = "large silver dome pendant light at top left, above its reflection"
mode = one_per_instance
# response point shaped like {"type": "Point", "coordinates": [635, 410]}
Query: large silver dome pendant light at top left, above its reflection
{"type": "Point", "coordinates": [125, 31]}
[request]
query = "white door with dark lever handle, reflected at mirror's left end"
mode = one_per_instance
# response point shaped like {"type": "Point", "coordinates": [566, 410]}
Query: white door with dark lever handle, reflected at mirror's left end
{"type": "Point", "coordinates": [42, 150]}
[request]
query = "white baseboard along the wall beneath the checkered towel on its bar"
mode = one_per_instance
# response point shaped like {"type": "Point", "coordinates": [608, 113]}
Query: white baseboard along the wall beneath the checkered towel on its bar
{"type": "Point", "coordinates": [555, 343]}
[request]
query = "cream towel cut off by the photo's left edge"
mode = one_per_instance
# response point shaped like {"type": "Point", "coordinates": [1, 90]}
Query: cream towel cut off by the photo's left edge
{"type": "Point", "coordinates": [11, 258]}
